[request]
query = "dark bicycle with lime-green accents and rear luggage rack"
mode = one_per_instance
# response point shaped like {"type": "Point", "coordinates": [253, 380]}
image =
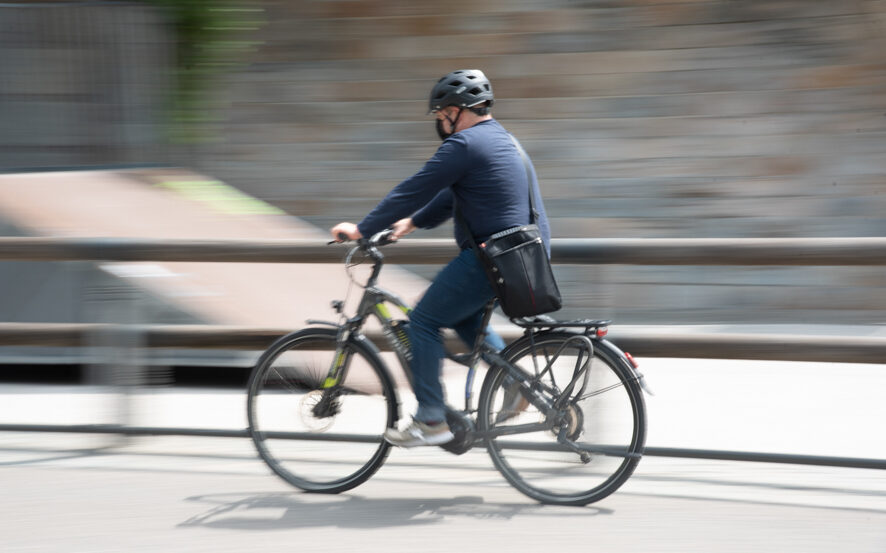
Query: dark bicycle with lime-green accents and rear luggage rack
{"type": "Point", "coordinates": [319, 400]}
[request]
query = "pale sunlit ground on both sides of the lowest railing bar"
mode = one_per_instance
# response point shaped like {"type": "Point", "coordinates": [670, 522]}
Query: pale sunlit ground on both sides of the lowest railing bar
{"type": "Point", "coordinates": [88, 493]}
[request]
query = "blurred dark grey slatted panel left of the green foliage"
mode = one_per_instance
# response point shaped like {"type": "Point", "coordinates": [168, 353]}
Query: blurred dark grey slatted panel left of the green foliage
{"type": "Point", "coordinates": [83, 83]}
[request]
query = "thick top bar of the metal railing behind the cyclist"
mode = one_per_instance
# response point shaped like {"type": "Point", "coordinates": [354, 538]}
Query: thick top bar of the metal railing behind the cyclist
{"type": "Point", "coordinates": [575, 251]}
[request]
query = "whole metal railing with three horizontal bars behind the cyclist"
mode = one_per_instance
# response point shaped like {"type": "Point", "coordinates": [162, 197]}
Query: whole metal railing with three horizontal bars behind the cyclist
{"type": "Point", "coordinates": [779, 252]}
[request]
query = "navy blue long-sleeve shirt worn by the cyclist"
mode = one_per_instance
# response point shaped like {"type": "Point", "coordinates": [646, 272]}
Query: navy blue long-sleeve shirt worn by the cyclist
{"type": "Point", "coordinates": [481, 168]}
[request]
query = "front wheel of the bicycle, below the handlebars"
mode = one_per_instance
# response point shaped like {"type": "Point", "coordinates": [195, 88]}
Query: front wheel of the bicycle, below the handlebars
{"type": "Point", "coordinates": [343, 446]}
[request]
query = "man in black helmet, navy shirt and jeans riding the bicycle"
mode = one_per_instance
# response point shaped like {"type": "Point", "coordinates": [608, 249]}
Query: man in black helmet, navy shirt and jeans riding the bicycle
{"type": "Point", "coordinates": [478, 171]}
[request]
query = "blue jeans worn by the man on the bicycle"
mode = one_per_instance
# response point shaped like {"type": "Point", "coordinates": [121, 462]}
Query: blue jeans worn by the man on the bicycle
{"type": "Point", "coordinates": [454, 300]}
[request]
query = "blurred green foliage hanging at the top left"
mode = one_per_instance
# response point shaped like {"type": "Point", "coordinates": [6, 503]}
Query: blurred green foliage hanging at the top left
{"type": "Point", "coordinates": [212, 37]}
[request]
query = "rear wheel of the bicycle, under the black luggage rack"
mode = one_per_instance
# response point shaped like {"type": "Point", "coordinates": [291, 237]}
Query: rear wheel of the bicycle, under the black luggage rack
{"type": "Point", "coordinates": [608, 422]}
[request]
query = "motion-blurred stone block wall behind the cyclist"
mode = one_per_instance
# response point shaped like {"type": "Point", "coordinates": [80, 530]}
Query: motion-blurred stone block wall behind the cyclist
{"type": "Point", "coordinates": [704, 118]}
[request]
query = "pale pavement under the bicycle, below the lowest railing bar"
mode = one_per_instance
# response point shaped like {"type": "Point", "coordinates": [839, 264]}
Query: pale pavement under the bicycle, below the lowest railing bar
{"type": "Point", "coordinates": [140, 499]}
